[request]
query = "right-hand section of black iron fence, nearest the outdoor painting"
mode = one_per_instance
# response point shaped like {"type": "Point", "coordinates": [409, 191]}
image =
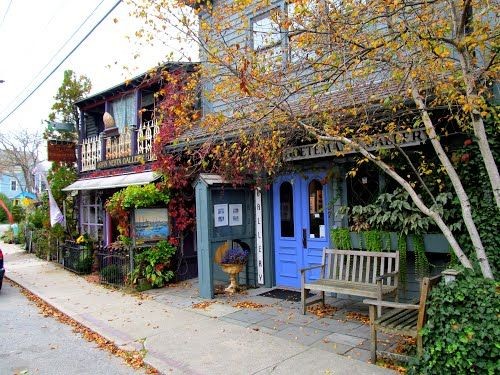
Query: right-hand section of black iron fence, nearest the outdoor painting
{"type": "Point", "coordinates": [114, 267]}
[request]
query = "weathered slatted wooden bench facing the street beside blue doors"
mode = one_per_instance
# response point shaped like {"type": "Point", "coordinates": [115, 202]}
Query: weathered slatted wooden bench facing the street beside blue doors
{"type": "Point", "coordinates": [359, 273]}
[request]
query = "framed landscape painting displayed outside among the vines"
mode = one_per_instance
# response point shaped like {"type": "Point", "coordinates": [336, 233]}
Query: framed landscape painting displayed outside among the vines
{"type": "Point", "coordinates": [151, 224]}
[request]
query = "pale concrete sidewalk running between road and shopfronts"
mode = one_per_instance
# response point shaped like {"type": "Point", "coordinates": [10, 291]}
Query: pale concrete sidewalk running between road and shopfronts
{"type": "Point", "coordinates": [177, 340]}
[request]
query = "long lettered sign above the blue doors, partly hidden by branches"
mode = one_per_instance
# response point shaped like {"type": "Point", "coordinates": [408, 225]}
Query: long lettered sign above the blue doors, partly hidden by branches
{"type": "Point", "coordinates": [336, 148]}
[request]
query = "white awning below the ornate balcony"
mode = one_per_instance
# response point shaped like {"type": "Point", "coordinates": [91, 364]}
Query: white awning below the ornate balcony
{"type": "Point", "coordinates": [112, 181]}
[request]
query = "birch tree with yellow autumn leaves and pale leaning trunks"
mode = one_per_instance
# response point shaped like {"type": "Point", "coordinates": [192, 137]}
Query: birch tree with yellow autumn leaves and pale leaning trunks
{"type": "Point", "coordinates": [275, 73]}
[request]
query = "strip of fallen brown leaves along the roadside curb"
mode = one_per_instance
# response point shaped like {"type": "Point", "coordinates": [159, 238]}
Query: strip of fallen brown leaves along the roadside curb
{"type": "Point", "coordinates": [134, 359]}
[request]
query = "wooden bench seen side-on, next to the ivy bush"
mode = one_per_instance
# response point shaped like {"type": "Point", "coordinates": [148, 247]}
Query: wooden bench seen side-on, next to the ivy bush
{"type": "Point", "coordinates": [404, 319]}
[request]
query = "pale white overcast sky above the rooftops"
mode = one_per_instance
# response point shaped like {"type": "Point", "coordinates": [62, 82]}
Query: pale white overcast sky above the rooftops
{"type": "Point", "coordinates": [34, 39]}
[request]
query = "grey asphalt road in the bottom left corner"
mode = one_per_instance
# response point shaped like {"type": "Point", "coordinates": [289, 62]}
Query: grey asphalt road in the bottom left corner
{"type": "Point", "coordinates": [32, 344]}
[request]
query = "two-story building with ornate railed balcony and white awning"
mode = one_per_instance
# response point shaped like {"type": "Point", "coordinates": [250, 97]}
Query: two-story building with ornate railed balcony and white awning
{"type": "Point", "coordinates": [117, 131]}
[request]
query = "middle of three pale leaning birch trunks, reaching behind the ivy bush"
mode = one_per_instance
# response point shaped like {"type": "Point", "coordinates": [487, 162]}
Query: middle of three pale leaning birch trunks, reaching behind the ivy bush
{"type": "Point", "coordinates": [457, 185]}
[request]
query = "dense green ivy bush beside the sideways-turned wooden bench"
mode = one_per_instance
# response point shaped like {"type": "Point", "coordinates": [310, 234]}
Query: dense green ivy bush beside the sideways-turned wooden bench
{"type": "Point", "coordinates": [462, 333]}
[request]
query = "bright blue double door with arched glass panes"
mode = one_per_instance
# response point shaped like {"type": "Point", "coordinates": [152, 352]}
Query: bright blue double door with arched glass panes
{"type": "Point", "coordinates": [300, 225]}
